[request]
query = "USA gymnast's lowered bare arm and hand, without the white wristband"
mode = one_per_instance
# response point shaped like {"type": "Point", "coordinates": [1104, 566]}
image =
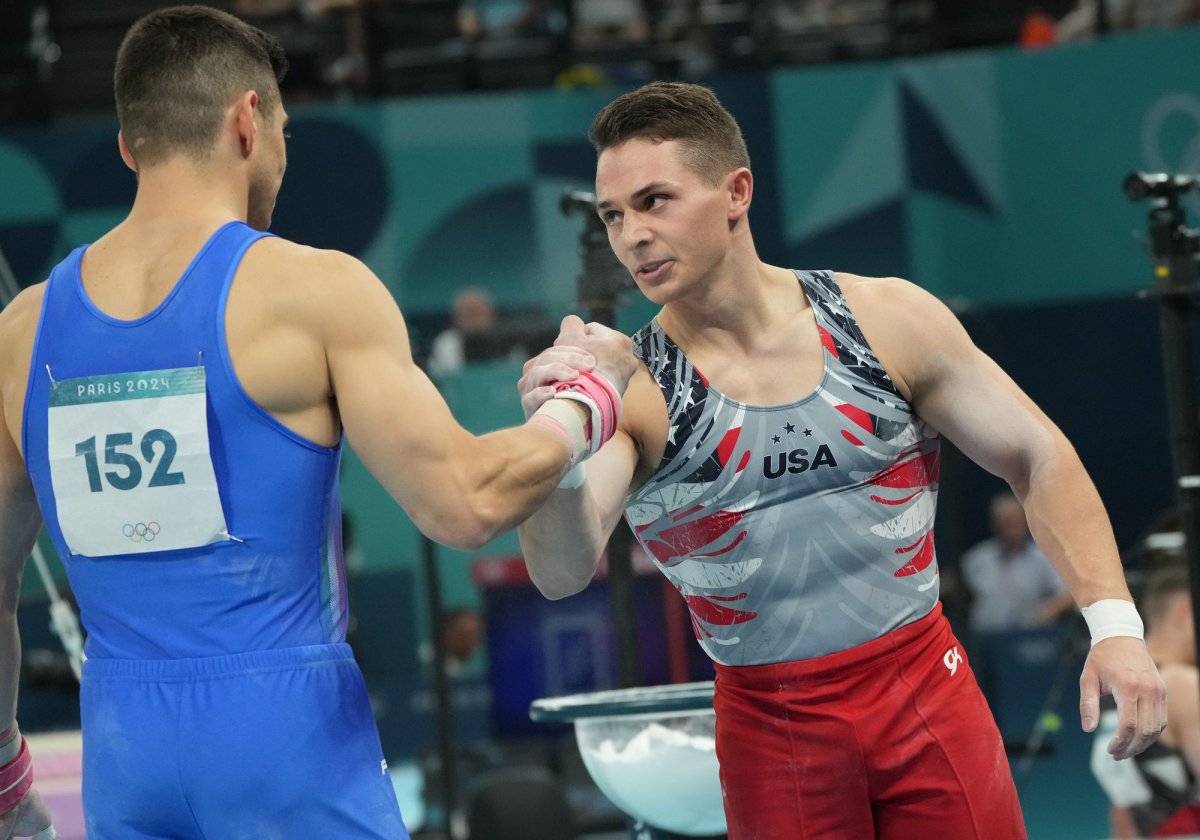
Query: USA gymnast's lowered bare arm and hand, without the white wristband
{"type": "Point", "coordinates": [968, 398]}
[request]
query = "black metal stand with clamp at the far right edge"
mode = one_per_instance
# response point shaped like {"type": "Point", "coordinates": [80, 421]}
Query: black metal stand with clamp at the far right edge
{"type": "Point", "coordinates": [1175, 251]}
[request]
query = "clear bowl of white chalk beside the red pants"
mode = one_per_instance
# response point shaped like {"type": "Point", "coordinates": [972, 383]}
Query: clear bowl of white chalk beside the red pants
{"type": "Point", "coordinates": [652, 752]}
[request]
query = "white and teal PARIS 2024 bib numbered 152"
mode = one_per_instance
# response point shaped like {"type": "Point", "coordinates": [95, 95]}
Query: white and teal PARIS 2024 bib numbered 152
{"type": "Point", "coordinates": [130, 463]}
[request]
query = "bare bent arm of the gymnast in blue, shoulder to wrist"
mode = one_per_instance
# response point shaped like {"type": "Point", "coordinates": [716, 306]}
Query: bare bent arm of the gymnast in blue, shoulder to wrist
{"type": "Point", "coordinates": [459, 489]}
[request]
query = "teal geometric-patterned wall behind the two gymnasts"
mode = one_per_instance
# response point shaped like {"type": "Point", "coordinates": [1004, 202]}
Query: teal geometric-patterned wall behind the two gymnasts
{"type": "Point", "coordinates": [991, 177]}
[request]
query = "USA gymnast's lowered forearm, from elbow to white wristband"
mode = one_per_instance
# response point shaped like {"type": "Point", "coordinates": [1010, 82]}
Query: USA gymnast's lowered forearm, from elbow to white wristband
{"type": "Point", "coordinates": [1071, 526]}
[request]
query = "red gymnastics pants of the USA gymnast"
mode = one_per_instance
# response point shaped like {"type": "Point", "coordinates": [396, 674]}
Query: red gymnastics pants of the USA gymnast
{"type": "Point", "coordinates": [891, 740]}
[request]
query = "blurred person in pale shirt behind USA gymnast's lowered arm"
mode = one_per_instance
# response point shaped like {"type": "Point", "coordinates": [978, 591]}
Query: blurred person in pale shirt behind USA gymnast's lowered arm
{"type": "Point", "coordinates": [1012, 584]}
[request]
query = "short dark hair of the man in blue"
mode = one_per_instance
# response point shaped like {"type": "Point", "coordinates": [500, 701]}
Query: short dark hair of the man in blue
{"type": "Point", "coordinates": [177, 73]}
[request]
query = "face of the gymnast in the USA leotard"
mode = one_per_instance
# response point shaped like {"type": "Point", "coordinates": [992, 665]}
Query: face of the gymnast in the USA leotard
{"type": "Point", "coordinates": [667, 224]}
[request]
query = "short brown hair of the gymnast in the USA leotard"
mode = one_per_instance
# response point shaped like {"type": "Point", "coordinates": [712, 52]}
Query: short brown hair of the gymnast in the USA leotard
{"type": "Point", "coordinates": [676, 111]}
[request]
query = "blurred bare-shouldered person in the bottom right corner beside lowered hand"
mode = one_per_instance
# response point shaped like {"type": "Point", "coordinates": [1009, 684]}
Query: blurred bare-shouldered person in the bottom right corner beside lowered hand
{"type": "Point", "coordinates": [1156, 794]}
